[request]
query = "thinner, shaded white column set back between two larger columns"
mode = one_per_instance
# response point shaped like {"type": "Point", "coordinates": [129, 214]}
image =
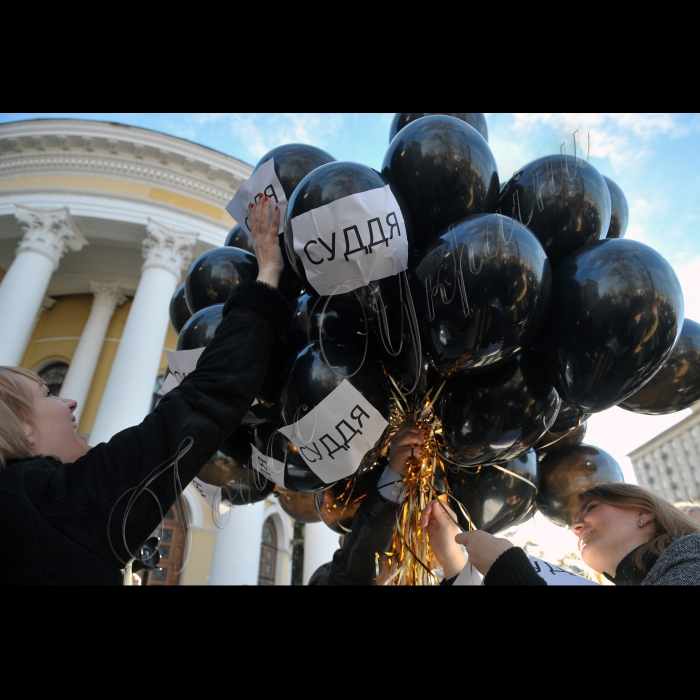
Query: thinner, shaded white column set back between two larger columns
{"type": "Point", "coordinates": [82, 368]}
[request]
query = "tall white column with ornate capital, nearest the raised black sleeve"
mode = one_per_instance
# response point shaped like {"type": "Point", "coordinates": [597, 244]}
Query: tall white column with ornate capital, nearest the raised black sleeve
{"type": "Point", "coordinates": [129, 391]}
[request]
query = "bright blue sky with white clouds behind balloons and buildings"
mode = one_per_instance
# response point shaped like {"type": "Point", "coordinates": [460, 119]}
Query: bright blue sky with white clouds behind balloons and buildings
{"type": "Point", "coordinates": [654, 158]}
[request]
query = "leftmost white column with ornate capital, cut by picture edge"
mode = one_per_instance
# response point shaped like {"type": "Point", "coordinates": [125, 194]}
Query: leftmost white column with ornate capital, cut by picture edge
{"type": "Point", "coordinates": [48, 235]}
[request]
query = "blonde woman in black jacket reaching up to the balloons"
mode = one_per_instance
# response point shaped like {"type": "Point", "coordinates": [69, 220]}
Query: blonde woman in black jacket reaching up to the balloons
{"type": "Point", "coordinates": [75, 514]}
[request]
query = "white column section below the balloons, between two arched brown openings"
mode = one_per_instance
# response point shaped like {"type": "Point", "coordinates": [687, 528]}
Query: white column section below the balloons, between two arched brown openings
{"type": "Point", "coordinates": [236, 556]}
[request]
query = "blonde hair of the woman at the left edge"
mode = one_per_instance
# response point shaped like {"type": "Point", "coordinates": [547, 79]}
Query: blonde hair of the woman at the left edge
{"type": "Point", "coordinates": [16, 411]}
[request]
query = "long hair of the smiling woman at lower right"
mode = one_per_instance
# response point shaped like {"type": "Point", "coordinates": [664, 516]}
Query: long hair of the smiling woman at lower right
{"type": "Point", "coordinates": [670, 524]}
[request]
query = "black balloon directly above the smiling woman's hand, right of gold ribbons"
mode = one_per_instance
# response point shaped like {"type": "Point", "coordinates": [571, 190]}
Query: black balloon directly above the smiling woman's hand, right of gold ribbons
{"type": "Point", "coordinates": [495, 500]}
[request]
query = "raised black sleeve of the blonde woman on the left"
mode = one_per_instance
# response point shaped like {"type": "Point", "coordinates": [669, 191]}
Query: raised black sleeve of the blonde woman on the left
{"type": "Point", "coordinates": [87, 500]}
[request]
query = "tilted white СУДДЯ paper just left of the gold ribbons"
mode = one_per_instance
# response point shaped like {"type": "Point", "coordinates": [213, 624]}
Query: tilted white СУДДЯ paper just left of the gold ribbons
{"type": "Point", "coordinates": [336, 435]}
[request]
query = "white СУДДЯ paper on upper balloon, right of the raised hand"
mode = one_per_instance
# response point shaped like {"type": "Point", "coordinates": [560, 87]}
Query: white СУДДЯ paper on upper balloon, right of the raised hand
{"type": "Point", "coordinates": [352, 241]}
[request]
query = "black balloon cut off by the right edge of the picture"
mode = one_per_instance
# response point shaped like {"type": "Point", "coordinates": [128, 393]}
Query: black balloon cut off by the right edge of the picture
{"type": "Point", "coordinates": [677, 384]}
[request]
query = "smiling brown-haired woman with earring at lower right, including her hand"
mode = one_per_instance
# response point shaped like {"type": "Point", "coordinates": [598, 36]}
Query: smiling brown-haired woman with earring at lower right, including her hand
{"type": "Point", "coordinates": [625, 532]}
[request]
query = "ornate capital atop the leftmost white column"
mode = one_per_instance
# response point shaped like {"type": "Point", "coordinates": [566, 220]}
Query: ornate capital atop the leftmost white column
{"type": "Point", "coordinates": [51, 232]}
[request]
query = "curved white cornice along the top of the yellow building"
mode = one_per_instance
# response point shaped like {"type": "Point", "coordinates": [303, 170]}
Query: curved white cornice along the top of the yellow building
{"type": "Point", "coordinates": [100, 149]}
